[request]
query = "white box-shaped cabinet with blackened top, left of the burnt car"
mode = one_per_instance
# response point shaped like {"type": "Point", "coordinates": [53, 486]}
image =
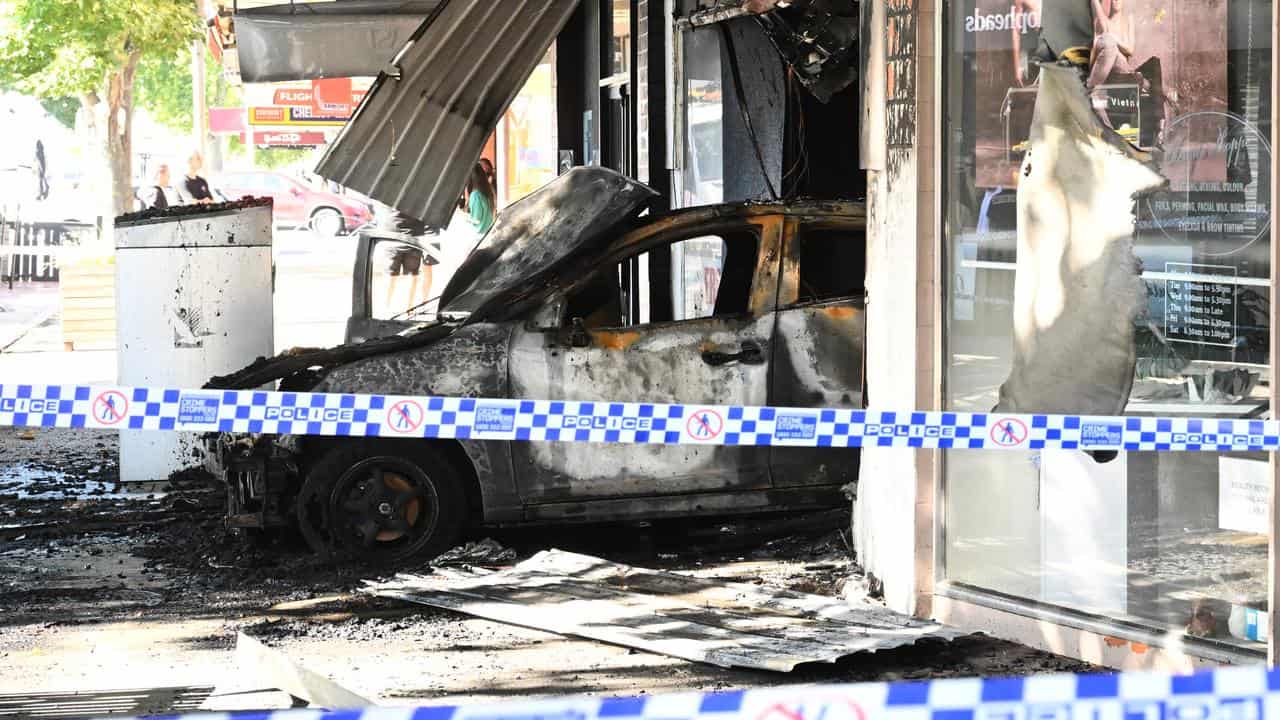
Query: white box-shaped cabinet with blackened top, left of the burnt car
{"type": "Point", "coordinates": [194, 290]}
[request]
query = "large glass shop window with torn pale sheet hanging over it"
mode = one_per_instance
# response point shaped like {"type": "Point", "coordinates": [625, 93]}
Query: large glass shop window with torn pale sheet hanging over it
{"type": "Point", "coordinates": [1142, 265]}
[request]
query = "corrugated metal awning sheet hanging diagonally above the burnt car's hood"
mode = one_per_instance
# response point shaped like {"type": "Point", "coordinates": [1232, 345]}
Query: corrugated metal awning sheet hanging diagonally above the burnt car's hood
{"type": "Point", "coordinates": [419, 131]}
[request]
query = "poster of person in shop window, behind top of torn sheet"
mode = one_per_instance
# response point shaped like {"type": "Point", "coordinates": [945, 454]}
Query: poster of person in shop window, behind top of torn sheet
{"type": "Point", "coordinates": [1150, 63]}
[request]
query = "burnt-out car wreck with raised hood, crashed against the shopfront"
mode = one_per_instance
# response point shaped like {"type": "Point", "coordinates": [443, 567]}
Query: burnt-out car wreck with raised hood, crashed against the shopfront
{"type": "Point", "coordinates": [577, 295]}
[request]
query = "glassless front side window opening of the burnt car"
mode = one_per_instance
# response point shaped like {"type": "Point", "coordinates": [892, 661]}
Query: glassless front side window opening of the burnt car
{"type": "Point", "coordinates": [701, 277]}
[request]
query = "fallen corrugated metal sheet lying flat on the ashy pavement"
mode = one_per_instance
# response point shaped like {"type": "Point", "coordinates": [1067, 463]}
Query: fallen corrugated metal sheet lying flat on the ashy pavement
{"type": "Point", "coordinates": [725, 625]}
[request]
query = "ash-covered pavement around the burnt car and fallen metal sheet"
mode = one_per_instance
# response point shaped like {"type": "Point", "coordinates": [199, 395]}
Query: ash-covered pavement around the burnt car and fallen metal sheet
{"type": "Point", "coordinates": [144, 586]}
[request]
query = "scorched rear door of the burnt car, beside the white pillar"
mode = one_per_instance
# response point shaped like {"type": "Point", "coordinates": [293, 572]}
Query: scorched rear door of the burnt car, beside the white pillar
{"type": "Point", "coordinates": [821, 341]}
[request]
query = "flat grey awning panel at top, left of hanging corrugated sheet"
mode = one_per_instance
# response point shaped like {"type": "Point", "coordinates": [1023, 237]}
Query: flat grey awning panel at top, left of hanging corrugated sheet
{"type": "Point", "coordinates": [318, 40]}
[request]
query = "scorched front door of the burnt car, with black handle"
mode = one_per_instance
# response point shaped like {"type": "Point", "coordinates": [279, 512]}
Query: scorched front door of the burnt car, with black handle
{"type": "Point", "coordinates": [682, 317]}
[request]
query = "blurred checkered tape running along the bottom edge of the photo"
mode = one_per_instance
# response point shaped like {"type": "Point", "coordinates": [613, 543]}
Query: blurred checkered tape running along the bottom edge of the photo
{"type": "Point", "coordinates": [1229, 694]}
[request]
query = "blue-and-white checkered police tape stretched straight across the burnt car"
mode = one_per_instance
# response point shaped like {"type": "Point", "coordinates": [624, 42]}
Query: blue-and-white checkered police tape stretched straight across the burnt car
{"type": "Point", "coordinates": [563, 421]}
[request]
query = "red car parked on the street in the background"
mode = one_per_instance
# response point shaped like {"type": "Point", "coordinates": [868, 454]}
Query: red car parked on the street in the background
{"type": "Point", "coordinates": [295, 203]}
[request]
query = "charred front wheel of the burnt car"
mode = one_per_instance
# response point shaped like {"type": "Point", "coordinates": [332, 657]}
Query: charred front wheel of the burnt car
{"type": "Point", "coordinates": [382, 504]}
